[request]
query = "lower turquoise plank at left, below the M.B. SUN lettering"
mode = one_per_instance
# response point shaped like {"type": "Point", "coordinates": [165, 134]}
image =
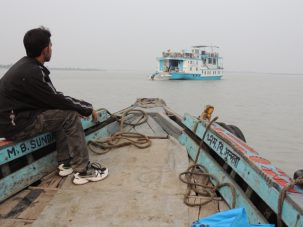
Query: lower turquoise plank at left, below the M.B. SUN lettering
{"type": "Point", "coordinates": [27, 175]}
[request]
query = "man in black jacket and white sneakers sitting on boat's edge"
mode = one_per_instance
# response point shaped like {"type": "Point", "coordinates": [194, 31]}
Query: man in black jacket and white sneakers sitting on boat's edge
{"type": "Point", "coordinates": [30, 105]}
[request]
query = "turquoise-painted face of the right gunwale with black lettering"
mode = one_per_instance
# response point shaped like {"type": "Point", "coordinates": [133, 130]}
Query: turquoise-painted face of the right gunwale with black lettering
{"type": "Point", "coordinates": [260, 183]}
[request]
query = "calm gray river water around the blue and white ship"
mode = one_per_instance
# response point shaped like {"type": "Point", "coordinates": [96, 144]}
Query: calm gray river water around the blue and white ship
{"type": "Point", "coordinates": [266, 107]}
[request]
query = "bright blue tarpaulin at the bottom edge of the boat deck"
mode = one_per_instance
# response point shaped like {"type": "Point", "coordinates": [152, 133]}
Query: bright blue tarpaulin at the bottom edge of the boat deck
{"type": "Point", "coordinates": [229, 218]}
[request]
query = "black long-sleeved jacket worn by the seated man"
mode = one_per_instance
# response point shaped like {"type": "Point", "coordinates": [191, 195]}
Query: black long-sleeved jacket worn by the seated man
{"type": "Point", "coordinates": [25, 91]}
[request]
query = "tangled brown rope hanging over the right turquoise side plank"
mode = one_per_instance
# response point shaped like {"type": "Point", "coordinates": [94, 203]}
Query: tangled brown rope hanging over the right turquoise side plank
{"type": "Point", "coordinates": [206, 189]}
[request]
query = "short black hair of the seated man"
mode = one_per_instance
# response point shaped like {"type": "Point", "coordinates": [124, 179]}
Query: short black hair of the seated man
{"type": "Point", "coordinates": [36, 40]}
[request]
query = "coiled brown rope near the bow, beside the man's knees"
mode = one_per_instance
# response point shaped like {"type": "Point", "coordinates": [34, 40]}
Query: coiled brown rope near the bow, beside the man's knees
{"type": "Point", "coordinates": [121, 138]}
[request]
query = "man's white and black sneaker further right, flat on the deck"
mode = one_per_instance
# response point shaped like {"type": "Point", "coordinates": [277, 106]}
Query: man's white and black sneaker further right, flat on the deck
{"type": "Point", "coordinates": [93, 173]}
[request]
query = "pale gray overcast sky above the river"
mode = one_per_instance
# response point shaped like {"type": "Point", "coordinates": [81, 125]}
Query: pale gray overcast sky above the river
{"type": "Point", "coordinates": [255, 35]}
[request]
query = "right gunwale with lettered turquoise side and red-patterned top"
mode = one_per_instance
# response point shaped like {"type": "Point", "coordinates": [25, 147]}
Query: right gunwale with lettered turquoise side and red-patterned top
{"type": "Point", "coordinates": [237, 155]}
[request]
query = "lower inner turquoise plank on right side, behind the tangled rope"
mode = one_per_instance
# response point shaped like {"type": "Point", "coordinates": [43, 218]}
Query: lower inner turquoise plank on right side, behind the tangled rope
{"type": "Point", "coordinates": [206, 160]}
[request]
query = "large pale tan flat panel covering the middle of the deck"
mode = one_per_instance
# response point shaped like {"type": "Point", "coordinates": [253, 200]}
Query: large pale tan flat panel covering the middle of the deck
{"type": "Point", "coordinates": [142, 189]}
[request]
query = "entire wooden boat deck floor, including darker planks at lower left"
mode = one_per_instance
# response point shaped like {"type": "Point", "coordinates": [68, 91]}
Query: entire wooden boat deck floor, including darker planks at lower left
{"type": "Point", "coordinates": [142, 189]}
